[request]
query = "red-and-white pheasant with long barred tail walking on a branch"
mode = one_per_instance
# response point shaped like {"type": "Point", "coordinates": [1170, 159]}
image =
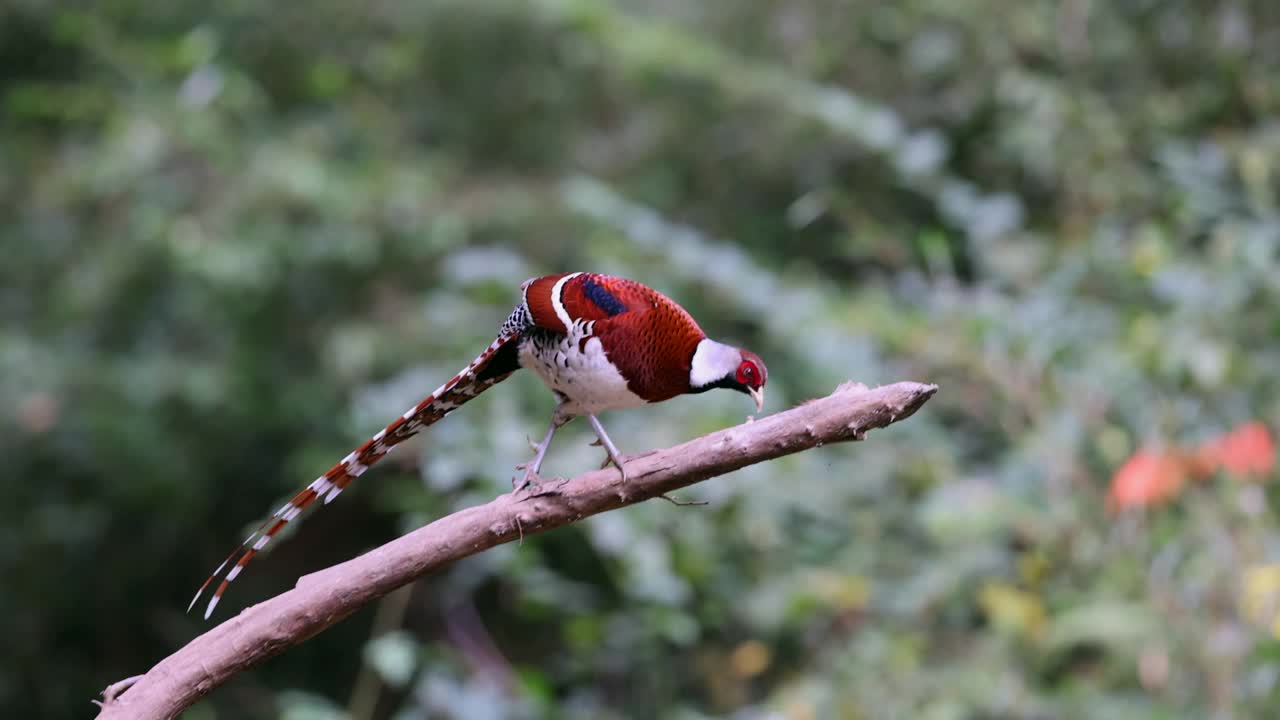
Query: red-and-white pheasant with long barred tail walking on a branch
{"type": "Point", "coordinates": [597, 341]}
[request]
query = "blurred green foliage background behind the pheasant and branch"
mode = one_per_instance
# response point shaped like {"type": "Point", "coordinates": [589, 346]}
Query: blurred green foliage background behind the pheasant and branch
{"type": "Point", "coordinates": [239, 238]}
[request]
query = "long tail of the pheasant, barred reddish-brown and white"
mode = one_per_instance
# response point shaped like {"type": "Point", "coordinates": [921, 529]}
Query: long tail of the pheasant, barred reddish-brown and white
{"type": "Point", "coordinates": [492, 367]}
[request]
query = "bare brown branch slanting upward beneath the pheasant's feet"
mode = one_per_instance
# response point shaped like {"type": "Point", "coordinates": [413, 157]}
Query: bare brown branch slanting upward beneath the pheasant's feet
{"type": "Point", "coordinates": [328, 596]}
